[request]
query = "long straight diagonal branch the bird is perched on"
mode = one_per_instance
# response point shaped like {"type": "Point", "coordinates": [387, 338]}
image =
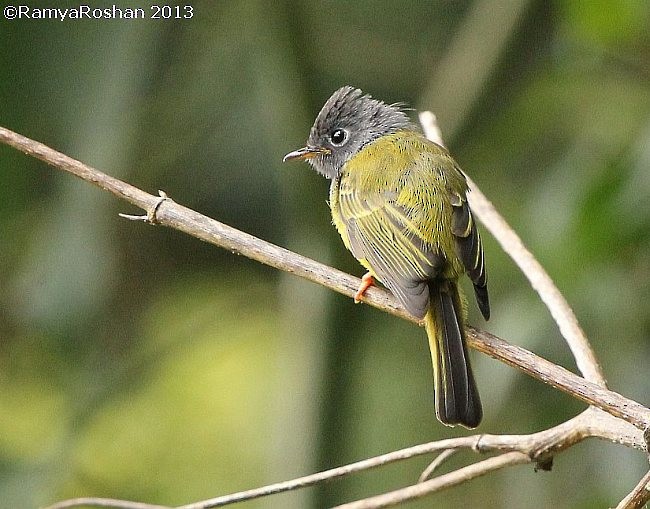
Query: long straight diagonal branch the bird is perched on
{"type": "Point", "coordinates": [169, 213]}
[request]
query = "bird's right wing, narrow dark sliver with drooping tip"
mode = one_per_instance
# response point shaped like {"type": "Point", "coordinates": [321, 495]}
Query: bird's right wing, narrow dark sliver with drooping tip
{"type": "Point", "coordinates": [470, 250]}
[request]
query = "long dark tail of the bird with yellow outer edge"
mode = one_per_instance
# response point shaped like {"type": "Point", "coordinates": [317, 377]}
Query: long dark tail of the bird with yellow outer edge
{"type": "Point", "coordinates": [457, 399]}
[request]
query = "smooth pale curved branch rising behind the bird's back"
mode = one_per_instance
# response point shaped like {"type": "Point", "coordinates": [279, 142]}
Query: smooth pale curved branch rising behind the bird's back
{"type": "Point", "coordinates": [512, 244]}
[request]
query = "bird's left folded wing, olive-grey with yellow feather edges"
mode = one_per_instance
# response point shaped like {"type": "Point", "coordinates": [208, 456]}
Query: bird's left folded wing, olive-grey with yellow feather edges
{"type": "Point", "coordinates": [381, 232]}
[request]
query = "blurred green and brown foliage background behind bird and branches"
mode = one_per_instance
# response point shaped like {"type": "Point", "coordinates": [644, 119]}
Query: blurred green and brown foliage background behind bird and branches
{"type": "Point", "coordinates": [140, 363]}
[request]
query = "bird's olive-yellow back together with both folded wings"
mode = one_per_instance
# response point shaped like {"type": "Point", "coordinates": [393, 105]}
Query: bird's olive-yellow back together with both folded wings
{"type": "Point", "coordinates": [409, 227]}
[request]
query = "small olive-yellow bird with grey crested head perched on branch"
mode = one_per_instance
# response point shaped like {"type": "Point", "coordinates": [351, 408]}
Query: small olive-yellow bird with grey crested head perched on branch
{"type": "Point", "coordinates": [399, 202]}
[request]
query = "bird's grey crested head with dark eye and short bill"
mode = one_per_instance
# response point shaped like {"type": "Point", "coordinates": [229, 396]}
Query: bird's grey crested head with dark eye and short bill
{"type": "Point", "coordinates": [348, 121]}
